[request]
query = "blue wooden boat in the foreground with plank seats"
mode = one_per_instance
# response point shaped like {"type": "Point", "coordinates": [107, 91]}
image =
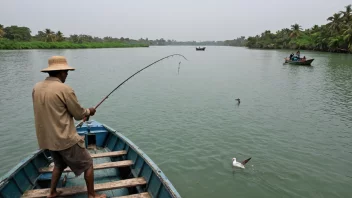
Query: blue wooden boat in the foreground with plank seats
{"type": "Point", "coordinates": [120, 169]}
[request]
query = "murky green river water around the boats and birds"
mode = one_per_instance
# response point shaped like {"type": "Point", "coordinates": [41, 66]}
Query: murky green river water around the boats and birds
{"type": "Point", "coordinates": [294, 121]}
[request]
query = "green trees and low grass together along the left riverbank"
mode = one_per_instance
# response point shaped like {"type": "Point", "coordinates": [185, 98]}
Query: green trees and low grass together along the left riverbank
{"type": "Point", "coordinates": [15, 37]}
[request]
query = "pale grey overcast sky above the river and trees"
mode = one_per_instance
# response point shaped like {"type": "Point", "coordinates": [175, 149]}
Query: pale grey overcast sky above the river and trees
{"type": "Point", "coordinates": [178, 19]}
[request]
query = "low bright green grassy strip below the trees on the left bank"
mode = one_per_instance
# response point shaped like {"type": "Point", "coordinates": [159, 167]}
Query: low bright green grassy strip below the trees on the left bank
{"type": "Point", "coordinates": [15, 45]}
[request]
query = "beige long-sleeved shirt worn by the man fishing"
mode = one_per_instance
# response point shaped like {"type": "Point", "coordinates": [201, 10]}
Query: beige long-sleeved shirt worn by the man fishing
{"type": "Point", "coordinates": [55, 105]}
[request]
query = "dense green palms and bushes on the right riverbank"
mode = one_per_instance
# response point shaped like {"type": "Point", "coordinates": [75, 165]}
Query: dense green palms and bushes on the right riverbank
{"type": "Point", "coordinates": [335, 36]}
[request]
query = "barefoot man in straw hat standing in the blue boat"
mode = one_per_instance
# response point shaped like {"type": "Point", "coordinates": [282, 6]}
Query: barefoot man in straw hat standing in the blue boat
{"type": "Point", "coordinates": [55, 105]}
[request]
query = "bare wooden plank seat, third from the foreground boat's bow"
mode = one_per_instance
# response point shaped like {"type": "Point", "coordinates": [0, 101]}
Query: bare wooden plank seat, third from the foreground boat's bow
{"type": "Point", "coordinates": [83, 189]}
